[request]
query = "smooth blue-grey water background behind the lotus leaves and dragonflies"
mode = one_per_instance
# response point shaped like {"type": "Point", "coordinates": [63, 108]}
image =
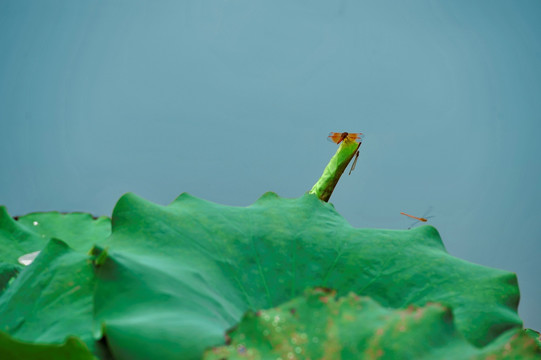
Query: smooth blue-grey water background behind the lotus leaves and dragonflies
{"type": "Point", "coordinates": [229, 99]}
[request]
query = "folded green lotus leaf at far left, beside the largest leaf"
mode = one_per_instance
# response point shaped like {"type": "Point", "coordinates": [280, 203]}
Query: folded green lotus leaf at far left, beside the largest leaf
{"type": "Point", "coordinates": [50, 300]}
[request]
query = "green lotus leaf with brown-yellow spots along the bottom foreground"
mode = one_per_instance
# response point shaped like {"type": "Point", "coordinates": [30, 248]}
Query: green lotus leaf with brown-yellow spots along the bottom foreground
{"type": "Point", "coordinates": [319, 326]}
